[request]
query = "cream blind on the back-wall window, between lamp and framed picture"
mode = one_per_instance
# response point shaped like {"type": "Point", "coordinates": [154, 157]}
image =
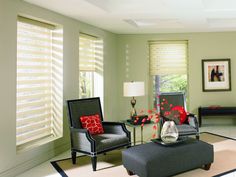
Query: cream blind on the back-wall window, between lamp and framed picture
{"type": "Point", "coordinates": [168, 57]}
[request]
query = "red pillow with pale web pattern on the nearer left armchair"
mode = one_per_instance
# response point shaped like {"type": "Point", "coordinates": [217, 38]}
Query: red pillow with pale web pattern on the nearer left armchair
{"type": "Point", "coordinates": [92, 123]}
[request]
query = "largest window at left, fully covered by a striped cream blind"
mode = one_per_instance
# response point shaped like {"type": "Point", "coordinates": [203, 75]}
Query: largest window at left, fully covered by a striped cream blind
{"type": "Point", "coordinates": [39, 83]}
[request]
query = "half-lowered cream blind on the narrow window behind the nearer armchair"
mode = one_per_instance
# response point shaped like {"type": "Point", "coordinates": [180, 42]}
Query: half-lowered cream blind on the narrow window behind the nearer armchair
{"type": "Point", "coordinates": [90, 53]}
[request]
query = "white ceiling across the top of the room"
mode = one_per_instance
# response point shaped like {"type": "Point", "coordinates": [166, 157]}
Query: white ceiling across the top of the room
{"type": "Point", "coordinates": [149, 16]}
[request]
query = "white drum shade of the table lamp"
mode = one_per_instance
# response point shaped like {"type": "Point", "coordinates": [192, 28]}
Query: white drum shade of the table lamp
{"type": "Point", "coordinates": [132, 89]}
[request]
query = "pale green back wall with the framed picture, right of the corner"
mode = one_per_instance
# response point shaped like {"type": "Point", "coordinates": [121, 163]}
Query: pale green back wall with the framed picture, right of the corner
{"type": "Point", "coordinates": [133, 65]}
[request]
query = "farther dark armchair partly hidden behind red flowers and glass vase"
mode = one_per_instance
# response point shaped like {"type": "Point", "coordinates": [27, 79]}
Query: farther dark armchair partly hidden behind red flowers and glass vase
{"type": "Point", "coordinates": [190, 126]}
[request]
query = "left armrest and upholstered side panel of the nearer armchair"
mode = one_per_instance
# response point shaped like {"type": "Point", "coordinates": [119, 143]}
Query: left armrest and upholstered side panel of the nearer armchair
{"type": "Point", "coordinates": [82, 140]}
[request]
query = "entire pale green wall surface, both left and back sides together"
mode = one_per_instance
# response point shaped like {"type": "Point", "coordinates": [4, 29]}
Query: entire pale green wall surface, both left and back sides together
{"type": "Point", "coordinates": [125, 59]}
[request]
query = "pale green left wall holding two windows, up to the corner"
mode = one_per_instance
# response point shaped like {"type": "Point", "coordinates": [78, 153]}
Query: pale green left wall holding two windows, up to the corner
{"type": "Point", "coordinates": [11, 162]}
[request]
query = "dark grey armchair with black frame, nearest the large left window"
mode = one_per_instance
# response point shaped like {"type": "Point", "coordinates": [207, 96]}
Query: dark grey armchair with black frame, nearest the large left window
{"type": "Point", "coordinates": [115, 134]}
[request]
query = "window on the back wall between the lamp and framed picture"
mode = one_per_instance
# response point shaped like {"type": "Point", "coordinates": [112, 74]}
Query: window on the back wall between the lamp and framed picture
{"type": "Point", "coordinates": [168, 66]}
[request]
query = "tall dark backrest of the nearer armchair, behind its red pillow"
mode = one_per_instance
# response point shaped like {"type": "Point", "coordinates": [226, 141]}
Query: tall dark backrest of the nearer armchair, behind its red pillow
{"type": "Point", "coordinates": [83, 107]}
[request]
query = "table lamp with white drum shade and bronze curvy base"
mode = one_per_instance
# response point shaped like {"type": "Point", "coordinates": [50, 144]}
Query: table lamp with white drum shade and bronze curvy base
{"type": "Point", "coordinates": [133, 89]}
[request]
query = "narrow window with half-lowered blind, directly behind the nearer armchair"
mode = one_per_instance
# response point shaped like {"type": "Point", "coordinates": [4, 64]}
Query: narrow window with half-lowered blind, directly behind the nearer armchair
{"type": "Point", "coordinates": [90, 66]}
